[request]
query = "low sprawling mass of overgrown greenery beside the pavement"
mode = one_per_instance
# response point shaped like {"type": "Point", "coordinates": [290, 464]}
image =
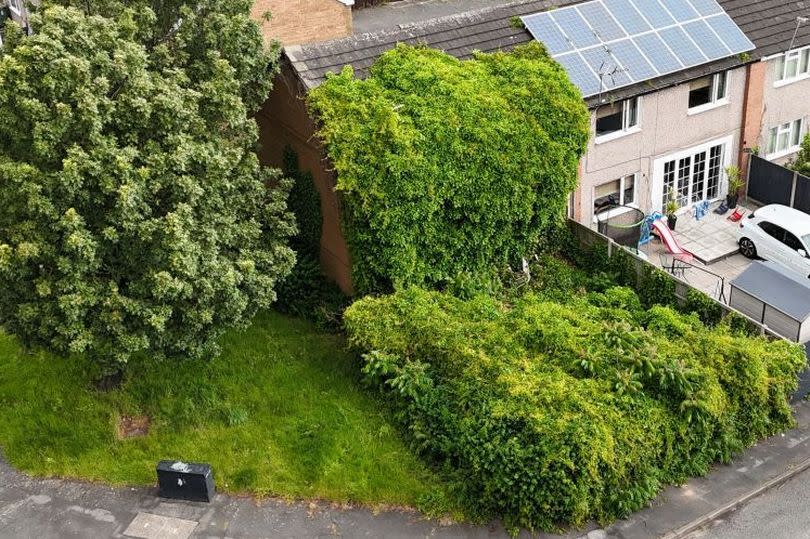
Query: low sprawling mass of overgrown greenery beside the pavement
{"type": "Point", "coordinates": [553, 413]}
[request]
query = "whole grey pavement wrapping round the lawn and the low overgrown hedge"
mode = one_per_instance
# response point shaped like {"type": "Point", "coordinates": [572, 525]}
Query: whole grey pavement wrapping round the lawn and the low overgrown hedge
{"type": "Point", "coordinates": [51, 508]}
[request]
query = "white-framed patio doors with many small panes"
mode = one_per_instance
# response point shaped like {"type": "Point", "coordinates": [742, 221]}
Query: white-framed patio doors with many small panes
{"type": "Point", "coordinates": [691, 176]}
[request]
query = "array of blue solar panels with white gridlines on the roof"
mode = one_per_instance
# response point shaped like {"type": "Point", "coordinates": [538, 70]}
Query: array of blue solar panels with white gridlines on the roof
{"type": "Point", "coordinates": [607, 44]}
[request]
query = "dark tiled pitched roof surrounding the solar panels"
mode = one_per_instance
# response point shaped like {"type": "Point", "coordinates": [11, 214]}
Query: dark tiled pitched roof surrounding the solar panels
{"type": "Point", "coordinates": [770, 24]}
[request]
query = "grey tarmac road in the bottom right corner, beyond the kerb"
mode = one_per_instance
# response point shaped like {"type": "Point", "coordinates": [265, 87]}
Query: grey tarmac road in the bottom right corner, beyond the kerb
{"type": "Point", "coordinates": [782, 513]}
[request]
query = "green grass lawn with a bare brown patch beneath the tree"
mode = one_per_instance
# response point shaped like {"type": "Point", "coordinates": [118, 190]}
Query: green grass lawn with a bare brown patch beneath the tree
{"type": "Point", "coordinates": [280, 412]}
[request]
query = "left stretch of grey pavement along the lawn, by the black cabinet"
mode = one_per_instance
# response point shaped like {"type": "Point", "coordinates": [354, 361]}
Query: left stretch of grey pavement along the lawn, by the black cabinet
{"type": "Point", "coordinates": [57, 509]}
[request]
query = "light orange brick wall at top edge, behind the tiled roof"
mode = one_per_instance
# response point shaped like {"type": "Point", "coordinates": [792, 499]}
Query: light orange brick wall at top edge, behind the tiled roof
{"type": "Point", "coordinates": [295, 22]}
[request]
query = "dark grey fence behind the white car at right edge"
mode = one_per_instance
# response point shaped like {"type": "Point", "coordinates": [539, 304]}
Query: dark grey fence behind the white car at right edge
{"type": "Point", "coordinates": [769, 183]}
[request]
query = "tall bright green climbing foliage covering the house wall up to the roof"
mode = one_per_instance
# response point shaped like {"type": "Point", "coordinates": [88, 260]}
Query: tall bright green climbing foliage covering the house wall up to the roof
{"type": "Point", "coordinates": [448, 168]}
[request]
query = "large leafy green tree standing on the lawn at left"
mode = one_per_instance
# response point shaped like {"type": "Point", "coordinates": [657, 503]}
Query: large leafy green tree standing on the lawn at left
{"type": "Point", "coordinates": [136, 217]}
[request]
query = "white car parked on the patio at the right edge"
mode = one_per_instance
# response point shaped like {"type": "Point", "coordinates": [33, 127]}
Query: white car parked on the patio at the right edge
{"type": "Point", "coordinates": [777, 233]}
